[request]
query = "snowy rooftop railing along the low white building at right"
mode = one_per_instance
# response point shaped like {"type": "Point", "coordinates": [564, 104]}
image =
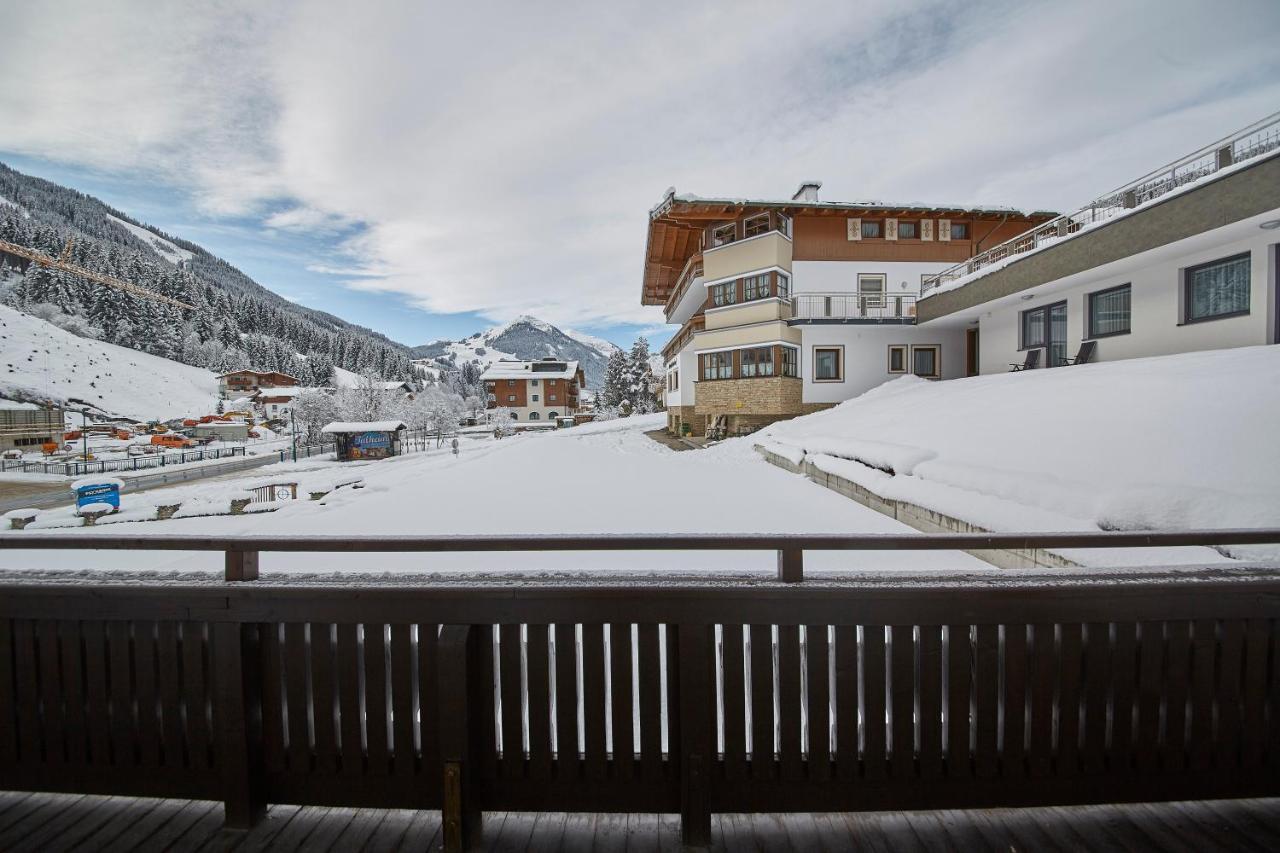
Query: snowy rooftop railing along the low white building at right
{"type": "Point", "coordinates": [1259, 139]}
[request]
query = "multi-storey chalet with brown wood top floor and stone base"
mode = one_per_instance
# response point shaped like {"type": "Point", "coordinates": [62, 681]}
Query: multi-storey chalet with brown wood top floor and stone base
{"type": "Point", "coordinates": [789, 307]}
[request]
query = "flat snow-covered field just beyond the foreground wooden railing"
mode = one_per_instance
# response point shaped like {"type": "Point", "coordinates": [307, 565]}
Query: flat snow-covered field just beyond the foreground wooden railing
{"type": "Point", "coordinates": [597, 478]}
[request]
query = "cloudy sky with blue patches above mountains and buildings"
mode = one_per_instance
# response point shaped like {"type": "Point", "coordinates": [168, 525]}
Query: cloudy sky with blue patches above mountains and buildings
{"type": "Point", "coordinates": [429, 168]}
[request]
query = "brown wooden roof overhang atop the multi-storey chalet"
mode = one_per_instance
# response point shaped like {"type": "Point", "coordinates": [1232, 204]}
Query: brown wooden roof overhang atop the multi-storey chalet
{"type": "Point", "coordinates": [676, 227]}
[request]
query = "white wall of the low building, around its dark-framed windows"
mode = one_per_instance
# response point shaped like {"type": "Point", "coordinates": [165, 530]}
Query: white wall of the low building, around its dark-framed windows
{"type": "Point", "coordinates": [1156, 312]}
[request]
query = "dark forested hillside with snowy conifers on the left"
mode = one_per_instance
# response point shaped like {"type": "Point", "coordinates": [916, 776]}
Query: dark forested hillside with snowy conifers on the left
{"type": "Point", "coordinates": [235, 321]}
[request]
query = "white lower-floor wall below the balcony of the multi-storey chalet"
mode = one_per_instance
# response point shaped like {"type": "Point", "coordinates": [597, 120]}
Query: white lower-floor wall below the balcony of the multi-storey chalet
{"type": "Point", "coordinates": [867, 355]}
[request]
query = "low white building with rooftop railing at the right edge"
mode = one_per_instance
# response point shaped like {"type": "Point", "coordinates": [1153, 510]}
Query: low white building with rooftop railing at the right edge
{"type": "Point", "coordinates": [1183, 259]}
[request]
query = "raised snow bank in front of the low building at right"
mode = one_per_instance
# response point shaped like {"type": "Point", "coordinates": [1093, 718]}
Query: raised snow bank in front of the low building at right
{"type": "Point", "coordinates": [1165, 444]}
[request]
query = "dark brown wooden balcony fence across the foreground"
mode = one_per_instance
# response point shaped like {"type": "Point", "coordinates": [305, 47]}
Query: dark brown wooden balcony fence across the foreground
{"type": "Point", "coordinates": [644, 694]}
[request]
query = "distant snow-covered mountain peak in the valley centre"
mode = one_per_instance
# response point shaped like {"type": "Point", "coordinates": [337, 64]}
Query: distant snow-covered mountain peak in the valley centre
{"type": "Point", "coordinates": [527, 339]}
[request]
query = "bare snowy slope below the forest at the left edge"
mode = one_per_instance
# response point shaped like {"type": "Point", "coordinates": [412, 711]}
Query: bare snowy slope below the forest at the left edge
{"type": "Point", "coordinates": [42, 362]}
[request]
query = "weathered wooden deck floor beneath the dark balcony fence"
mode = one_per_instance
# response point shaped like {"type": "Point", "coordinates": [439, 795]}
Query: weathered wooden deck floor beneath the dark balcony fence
{"type": "Point", "coordinates": [54, 823]}
